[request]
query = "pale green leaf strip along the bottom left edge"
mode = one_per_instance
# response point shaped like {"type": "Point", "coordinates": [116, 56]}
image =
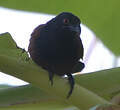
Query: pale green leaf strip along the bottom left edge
{"type": "Point", "coordinates": [43, 105]}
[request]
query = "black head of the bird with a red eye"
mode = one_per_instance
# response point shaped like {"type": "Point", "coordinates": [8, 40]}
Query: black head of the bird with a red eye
{"type": "Point", "coordinates": [67, 21]}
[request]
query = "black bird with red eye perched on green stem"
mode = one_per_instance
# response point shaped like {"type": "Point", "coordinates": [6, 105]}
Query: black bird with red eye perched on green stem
{"type": "Point", "coordinates": [56, 46]}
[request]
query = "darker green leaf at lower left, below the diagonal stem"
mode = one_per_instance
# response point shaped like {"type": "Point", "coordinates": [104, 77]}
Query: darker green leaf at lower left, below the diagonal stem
{"type": "Point", "coordinates": [23, 94]}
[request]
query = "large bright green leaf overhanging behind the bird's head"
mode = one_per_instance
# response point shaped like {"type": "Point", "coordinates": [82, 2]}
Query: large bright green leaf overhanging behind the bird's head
{"type": "Point", "coordinates": [101, 16]}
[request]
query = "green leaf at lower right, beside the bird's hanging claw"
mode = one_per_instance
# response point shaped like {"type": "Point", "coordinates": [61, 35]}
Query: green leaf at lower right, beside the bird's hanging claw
{"type": "Point", "coordinates": [105, 83]}
